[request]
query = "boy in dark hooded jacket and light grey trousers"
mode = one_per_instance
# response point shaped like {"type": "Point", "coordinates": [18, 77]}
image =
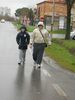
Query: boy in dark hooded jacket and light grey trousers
{"type": "Point", "coordinates": [22, 40]}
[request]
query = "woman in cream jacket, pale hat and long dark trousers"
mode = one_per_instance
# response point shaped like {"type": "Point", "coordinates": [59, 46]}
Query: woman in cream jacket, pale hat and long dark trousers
{"type": "Point", "coordinates": [39, 40]}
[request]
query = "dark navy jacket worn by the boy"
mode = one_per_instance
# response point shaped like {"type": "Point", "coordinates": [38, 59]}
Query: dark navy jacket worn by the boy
{"type": "Point", "coordinates": [23, 40]}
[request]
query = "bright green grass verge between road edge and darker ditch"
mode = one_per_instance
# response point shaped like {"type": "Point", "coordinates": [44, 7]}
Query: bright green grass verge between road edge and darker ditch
{"type": "Point", "coordinates": [63, 57]}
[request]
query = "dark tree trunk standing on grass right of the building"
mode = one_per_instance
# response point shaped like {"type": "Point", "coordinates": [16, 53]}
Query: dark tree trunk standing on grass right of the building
{"type": "Point", "coordinates": [68, 27]}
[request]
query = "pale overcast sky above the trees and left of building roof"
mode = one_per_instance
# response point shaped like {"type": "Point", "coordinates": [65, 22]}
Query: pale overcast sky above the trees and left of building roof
{"type": "Point", "coordinates": [14, 4]}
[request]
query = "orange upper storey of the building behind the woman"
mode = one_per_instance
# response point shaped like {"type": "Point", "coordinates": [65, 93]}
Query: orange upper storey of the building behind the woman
{"type": "Point", "coordinates": [46, 8]}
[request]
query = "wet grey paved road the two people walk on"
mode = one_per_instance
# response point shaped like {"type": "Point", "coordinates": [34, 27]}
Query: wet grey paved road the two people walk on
{"type": "Point", "coordinates": [26, 83]}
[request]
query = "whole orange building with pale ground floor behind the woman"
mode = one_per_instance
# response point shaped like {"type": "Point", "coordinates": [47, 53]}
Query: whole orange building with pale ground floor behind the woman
{"type": "Point", "coordinates": [53, 11]}
